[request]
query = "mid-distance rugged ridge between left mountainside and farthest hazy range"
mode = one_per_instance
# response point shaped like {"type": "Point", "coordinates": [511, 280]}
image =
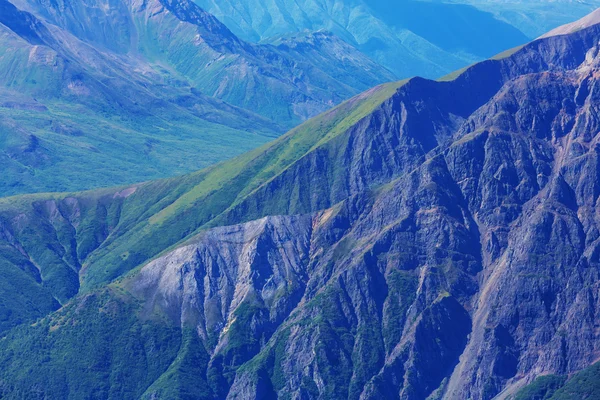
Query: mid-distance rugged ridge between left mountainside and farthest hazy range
{"type": "Point", "coordinates": [195, 47]}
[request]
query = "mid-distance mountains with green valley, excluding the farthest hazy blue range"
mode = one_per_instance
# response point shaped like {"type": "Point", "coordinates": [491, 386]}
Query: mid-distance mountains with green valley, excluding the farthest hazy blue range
{"type": "Point", "coordinates": [160, 90]}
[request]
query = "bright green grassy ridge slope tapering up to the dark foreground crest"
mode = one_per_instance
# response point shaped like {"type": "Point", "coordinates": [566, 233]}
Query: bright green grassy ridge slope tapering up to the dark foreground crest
{"type": "Point", "coordinates": [91, 238]}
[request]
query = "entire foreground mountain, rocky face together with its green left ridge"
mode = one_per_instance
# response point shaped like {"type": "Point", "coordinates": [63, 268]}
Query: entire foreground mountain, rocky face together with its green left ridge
{"type": "Point", "coordinates": [422, 240]}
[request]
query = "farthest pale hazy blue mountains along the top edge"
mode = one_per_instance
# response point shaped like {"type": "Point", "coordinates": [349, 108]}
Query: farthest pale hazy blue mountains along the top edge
{"type": "Point", "coordinates": [423, 38]}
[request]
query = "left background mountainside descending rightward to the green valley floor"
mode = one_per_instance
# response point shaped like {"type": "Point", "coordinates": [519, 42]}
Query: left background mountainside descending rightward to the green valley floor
{"type": "Point", "coordinates": [72, 117]}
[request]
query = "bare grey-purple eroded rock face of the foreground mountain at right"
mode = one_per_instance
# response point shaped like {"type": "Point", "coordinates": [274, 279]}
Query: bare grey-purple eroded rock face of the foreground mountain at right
{"type": "Point", "coordinates": [473, 270]}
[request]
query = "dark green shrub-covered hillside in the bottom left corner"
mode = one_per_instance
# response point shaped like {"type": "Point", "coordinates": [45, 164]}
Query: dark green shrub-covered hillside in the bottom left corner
{"type": "Point", "coordinates": [112, 345]}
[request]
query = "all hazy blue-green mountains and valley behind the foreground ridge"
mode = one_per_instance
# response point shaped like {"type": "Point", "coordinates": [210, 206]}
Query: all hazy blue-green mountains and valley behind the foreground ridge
{"type": "Point", "coordinates": [102, 93]}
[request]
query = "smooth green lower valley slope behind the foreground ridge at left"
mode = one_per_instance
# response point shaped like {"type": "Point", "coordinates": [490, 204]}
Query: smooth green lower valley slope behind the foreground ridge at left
{"type": "Point", "coordinates": [63, 146]}
